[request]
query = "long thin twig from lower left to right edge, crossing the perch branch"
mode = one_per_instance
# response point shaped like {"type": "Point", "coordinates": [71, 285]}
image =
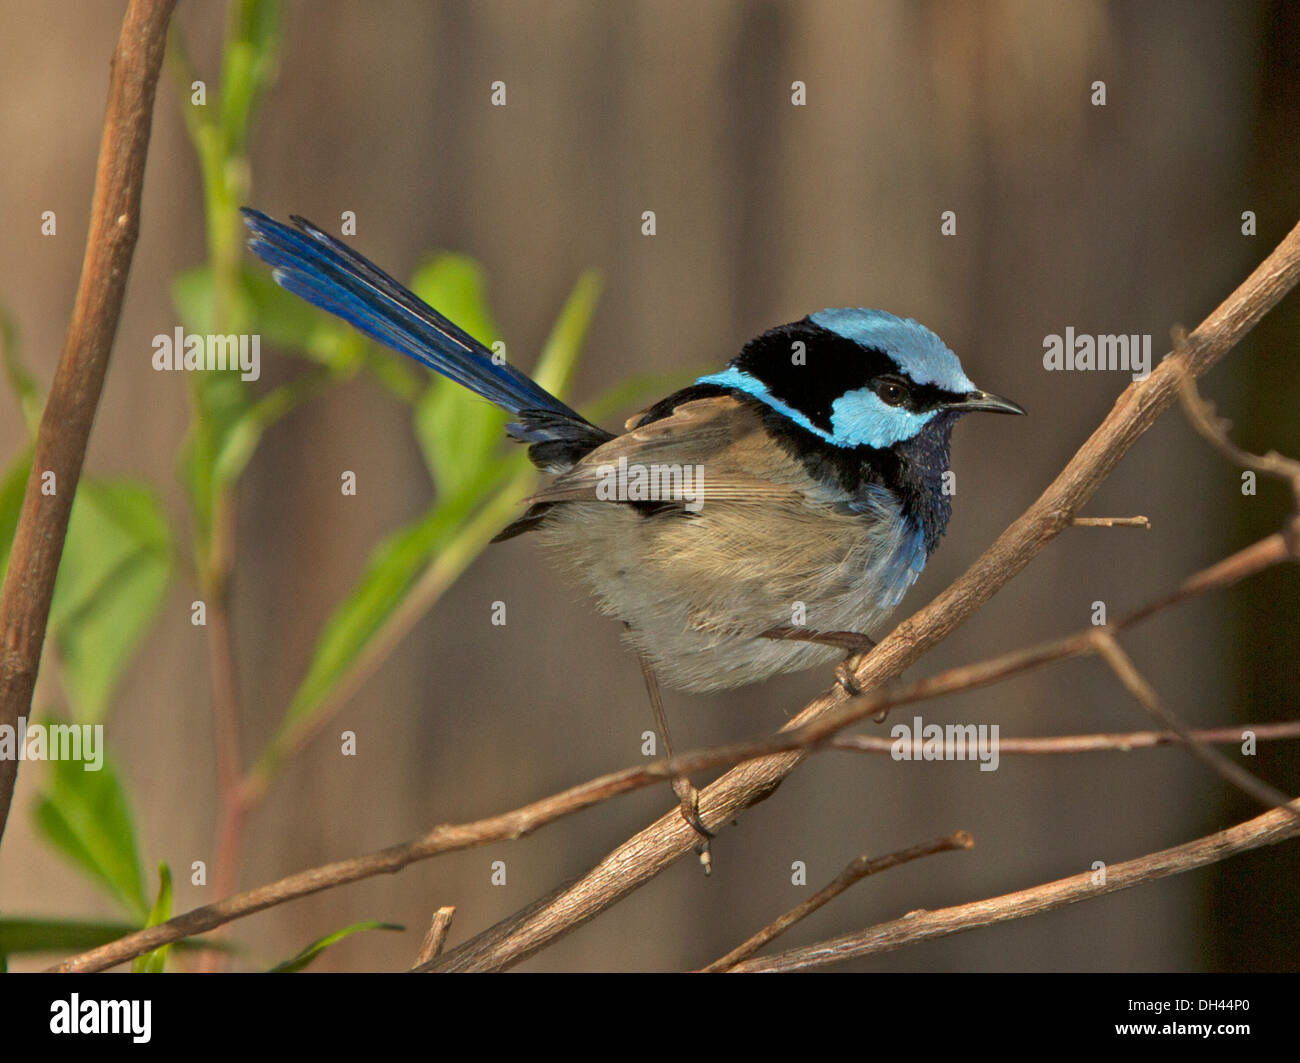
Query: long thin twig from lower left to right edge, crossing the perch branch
{"type": "Point", "coordinates": [530, 818]}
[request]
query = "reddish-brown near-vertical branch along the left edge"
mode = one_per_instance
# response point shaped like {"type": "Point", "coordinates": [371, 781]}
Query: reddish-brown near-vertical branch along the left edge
{"type": "Point", "coordinates": [70, 414]}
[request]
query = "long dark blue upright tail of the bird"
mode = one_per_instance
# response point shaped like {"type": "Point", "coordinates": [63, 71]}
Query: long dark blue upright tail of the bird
{"type": "Point", "coordinates": [332, 276]}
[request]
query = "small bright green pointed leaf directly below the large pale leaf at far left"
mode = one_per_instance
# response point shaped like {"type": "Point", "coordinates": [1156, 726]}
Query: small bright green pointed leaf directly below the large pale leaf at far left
{"type": "Point", "coordinates": [86, 817]}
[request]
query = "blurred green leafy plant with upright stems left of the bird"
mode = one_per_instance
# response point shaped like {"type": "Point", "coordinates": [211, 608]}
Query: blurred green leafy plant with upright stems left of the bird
{"type": "Point", "coordinates": [122, 554]}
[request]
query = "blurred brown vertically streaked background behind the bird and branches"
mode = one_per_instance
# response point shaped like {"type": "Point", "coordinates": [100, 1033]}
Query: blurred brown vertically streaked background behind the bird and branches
{"type": "Point", "coordinates": [1121, 219]}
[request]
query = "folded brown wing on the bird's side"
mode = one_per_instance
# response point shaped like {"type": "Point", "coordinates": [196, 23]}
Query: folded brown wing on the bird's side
{"type": "Point", "coordinates": [707, 450]}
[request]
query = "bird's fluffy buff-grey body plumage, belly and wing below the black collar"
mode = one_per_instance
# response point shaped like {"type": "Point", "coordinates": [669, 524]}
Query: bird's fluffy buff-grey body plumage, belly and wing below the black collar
{"type": "Point", "coordinates": [761, 545]}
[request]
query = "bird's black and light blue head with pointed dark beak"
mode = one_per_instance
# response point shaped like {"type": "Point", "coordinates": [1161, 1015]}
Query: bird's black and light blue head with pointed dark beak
{"type": "Point", "coordinates": [857, 378]}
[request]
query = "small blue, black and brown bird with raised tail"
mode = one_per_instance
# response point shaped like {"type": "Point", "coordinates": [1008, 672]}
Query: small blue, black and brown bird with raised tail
{"type": "Point", "coordinates": [762, 520]}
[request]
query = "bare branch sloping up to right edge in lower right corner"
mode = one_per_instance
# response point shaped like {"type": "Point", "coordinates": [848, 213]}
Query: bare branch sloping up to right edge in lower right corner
{"type": "Point", "coordinates": [921, 926]}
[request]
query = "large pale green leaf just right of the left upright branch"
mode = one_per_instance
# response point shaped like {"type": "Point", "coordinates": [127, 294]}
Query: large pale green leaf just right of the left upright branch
{"type": "Point", "coordinates": [115, 572]}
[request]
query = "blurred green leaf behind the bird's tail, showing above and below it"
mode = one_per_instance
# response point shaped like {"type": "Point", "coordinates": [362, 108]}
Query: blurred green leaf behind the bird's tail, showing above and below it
{"type": "Point", "coordinates": [458, 432]}
